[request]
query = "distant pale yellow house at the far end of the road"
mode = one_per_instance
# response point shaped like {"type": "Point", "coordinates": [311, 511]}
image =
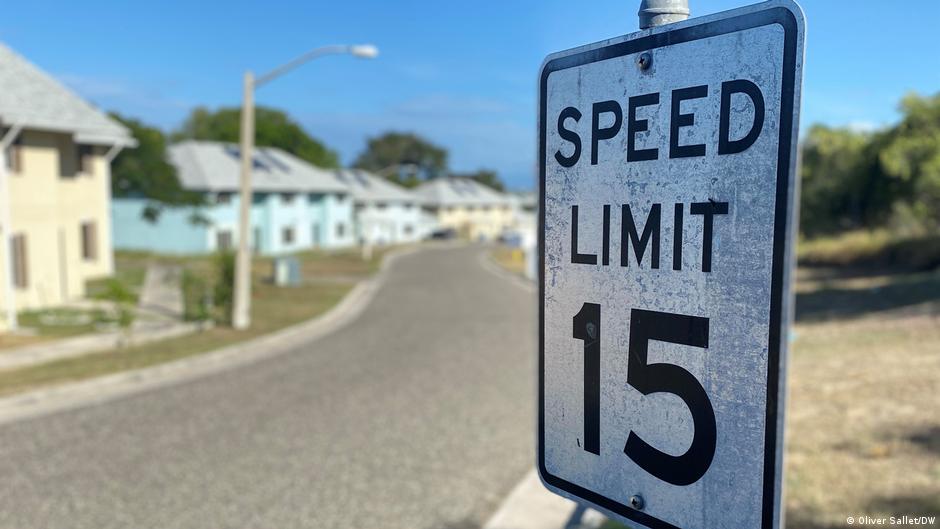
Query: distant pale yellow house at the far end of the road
{"type": "Point", "coordinates": [475, 211]}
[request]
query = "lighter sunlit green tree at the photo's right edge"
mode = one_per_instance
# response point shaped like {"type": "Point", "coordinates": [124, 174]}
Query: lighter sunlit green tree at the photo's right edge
{"type": "Point", "coordinates": [910, 155]}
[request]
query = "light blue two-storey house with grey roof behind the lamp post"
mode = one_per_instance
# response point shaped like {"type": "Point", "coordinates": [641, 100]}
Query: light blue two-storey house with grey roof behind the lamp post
{"type": "Point", "coordinates": [296, 206]}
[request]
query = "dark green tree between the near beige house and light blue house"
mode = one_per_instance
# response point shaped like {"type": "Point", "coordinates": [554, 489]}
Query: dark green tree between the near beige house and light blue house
{"type": "Point", "coordinates": [144, 171]}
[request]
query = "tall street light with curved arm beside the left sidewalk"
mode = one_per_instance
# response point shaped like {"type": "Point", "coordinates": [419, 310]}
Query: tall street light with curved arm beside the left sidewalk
{"type": "Point", "coordinates": [241, 310]}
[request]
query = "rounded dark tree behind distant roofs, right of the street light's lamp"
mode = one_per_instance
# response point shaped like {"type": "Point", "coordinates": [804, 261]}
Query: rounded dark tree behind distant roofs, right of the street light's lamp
{"type": "Point", "coordinates": [403, 157]}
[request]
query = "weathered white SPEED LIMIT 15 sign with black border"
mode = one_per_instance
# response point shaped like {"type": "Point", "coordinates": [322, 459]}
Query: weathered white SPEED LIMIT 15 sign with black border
{"type": "Point", "coordinates": [667, 166]}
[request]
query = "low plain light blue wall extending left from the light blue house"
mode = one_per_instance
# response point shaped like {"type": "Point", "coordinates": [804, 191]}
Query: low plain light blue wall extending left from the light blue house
{"type": "Point", "coordinates": [173, 232]}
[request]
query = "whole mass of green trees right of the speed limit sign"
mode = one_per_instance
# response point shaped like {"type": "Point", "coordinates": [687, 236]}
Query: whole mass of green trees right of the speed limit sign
{"type": "Point", "coordinates": [854, 179]}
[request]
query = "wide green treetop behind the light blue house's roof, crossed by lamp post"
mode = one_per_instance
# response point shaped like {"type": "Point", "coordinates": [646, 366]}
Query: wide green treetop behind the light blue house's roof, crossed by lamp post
{"type": "Point", "coordinates": [273, 128]}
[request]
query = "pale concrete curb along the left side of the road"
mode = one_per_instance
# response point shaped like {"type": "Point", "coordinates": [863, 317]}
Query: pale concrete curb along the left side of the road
{"type": "Point", "coordinates": [97, 390]}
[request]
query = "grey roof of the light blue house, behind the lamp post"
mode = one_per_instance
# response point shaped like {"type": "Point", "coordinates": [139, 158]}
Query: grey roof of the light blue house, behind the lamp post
{"type": "Point", "coordinates": [216, 166]}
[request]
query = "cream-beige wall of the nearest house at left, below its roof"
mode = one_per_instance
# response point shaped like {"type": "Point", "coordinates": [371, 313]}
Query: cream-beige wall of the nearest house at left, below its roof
{"type": "Point", "coordinates": [50, 198]}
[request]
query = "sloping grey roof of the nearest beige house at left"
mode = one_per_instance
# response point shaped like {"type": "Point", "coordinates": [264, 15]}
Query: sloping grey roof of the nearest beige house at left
{"type": "Point", "coordinates": [31, 98]}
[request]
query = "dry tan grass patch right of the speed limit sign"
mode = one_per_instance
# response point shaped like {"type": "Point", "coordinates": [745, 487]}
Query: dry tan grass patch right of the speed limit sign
{"type": "Point", "coordinates": [864, 411]}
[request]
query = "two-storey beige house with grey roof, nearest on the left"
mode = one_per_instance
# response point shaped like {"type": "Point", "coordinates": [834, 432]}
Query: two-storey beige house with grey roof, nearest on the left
{"type": "Point", "coordinates": [55, 189]}
